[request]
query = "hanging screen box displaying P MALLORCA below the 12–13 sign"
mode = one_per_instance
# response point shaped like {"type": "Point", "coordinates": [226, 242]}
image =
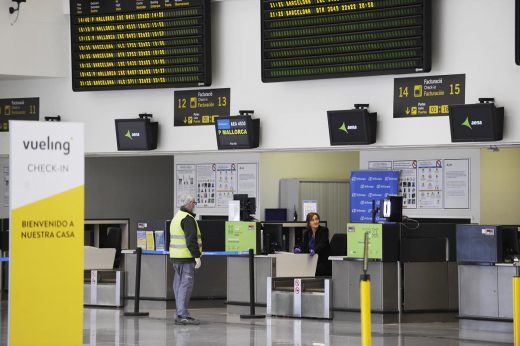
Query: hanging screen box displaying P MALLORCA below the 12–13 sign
{"type": "Point", "coordinates": [237, 132]}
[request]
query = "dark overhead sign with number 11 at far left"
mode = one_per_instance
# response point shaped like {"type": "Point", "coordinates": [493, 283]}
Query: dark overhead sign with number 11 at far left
{"type": "Point", "coordinates": [18, 109]}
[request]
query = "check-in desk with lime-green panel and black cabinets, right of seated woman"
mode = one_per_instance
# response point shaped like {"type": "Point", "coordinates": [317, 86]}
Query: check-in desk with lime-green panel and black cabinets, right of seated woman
{"type": "Point", "coordinates": [414, 270]}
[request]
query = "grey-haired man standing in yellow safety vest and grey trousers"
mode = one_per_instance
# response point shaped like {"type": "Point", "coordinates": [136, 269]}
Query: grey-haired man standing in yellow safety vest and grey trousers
{"type": "Point", "coordinates": [185, 252]}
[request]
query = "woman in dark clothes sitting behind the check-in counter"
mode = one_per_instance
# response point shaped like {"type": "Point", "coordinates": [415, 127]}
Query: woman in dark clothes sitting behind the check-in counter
{"type": "Point", "coordinates": [316, 241]}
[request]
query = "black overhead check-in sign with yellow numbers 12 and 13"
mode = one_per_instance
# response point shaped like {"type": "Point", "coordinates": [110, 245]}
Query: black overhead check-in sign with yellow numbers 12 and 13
{"type": "Point", "coordinates": [200, 107]}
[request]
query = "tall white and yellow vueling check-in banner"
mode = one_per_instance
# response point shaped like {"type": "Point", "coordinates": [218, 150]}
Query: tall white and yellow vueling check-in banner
{"type": "Point", "coordinates": [46, 167]}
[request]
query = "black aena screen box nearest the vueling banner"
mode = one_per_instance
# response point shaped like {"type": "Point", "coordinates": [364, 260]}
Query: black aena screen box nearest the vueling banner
{"type": "Point", "coordinates": [136, 134]}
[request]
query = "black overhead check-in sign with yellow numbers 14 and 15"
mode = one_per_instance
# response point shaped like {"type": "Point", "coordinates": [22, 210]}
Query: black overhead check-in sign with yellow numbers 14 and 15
{"type": "Point", "coordinates": [428, 95]}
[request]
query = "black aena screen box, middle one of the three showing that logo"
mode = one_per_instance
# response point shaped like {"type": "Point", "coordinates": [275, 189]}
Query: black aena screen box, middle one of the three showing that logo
{"type": "Point", "coordinates": [348, 127]}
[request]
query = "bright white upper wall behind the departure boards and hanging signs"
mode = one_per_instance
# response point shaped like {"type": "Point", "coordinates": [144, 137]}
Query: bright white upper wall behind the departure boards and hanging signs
{"type": "Point", "coordinates": [475, 37]}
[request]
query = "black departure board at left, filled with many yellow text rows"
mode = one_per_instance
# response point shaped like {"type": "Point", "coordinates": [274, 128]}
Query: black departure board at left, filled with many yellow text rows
{"type": "Point", "coordinates": [138, 44]}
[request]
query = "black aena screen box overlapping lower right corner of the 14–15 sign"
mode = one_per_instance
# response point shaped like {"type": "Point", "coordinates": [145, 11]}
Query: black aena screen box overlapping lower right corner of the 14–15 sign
{"type": "Point", "coordinates": [479, 122]}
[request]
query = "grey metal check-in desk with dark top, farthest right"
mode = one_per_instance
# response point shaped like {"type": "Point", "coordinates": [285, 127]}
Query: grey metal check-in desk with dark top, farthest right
{"type": "Point", "coordinates": [485, 279]}
